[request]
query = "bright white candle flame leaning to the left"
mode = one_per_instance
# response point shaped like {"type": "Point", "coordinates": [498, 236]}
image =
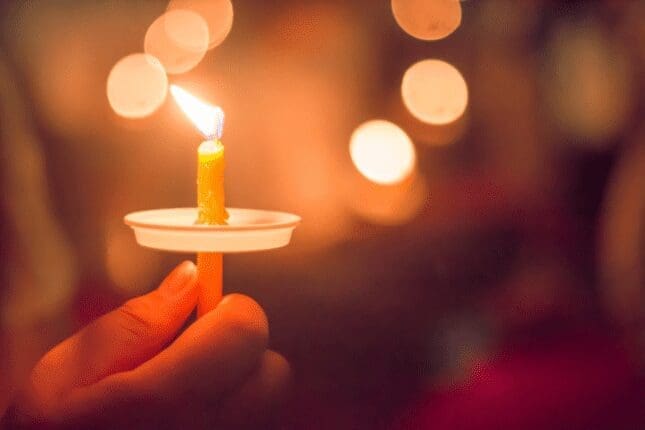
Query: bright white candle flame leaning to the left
{"type": "Point", "coordinates": [208, 119]}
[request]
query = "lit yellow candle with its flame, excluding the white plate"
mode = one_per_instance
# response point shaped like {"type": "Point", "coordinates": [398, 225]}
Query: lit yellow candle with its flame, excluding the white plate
{"type": "Point", "coordinates": [210, 190]}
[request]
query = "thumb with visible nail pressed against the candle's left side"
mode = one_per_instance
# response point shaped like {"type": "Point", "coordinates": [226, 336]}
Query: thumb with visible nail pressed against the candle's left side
{"type": "Point", "coordinates": [119, 340]}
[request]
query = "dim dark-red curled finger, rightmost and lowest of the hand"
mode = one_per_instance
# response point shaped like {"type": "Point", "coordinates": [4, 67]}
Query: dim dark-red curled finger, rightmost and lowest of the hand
{"type": "Point", "coordinates": [258, 400]}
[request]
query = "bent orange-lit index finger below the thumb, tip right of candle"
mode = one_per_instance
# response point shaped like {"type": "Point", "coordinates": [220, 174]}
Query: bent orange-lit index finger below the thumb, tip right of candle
{"type": "Point", "coordinates": [208, 359]}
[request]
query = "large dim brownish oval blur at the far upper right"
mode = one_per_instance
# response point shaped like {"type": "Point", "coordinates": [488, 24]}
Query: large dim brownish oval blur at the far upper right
{"type": "Point", "coordinates": [589, 82]}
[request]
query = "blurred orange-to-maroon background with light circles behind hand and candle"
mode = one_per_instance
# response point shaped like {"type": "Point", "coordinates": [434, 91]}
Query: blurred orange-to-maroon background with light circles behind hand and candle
{"type": "Point", "coordinates": [472, 189]}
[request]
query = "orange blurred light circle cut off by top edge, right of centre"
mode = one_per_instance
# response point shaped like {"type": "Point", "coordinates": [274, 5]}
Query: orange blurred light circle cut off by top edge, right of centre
{"type": "Point", "coordinates": [427, 19]}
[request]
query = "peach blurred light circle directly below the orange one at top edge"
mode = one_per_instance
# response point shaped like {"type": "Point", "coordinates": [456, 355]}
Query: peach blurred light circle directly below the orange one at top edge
{"type": "Point", "coordinates": [434, 92]}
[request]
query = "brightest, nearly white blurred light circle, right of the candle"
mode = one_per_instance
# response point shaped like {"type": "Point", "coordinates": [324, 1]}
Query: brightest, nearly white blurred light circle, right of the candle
{"type": "Point", "coordinates": [382, 152]}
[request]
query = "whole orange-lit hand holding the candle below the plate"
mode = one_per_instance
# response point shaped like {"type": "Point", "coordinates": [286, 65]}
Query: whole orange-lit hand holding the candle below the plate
{"type": "Point", "coordinates": [135, 368]}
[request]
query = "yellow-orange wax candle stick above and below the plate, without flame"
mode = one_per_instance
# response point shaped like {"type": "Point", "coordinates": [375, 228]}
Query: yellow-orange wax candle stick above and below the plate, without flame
{"type": "Point", "coordinates": [210, 202]}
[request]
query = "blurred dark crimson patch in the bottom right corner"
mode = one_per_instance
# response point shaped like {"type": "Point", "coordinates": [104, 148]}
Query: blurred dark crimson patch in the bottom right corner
{"type": "Point", "coordinates": [577, 381]}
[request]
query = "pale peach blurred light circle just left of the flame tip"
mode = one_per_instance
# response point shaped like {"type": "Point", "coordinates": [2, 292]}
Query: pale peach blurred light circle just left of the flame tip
{"type": "Point", "coordinates": [137, 86]}
